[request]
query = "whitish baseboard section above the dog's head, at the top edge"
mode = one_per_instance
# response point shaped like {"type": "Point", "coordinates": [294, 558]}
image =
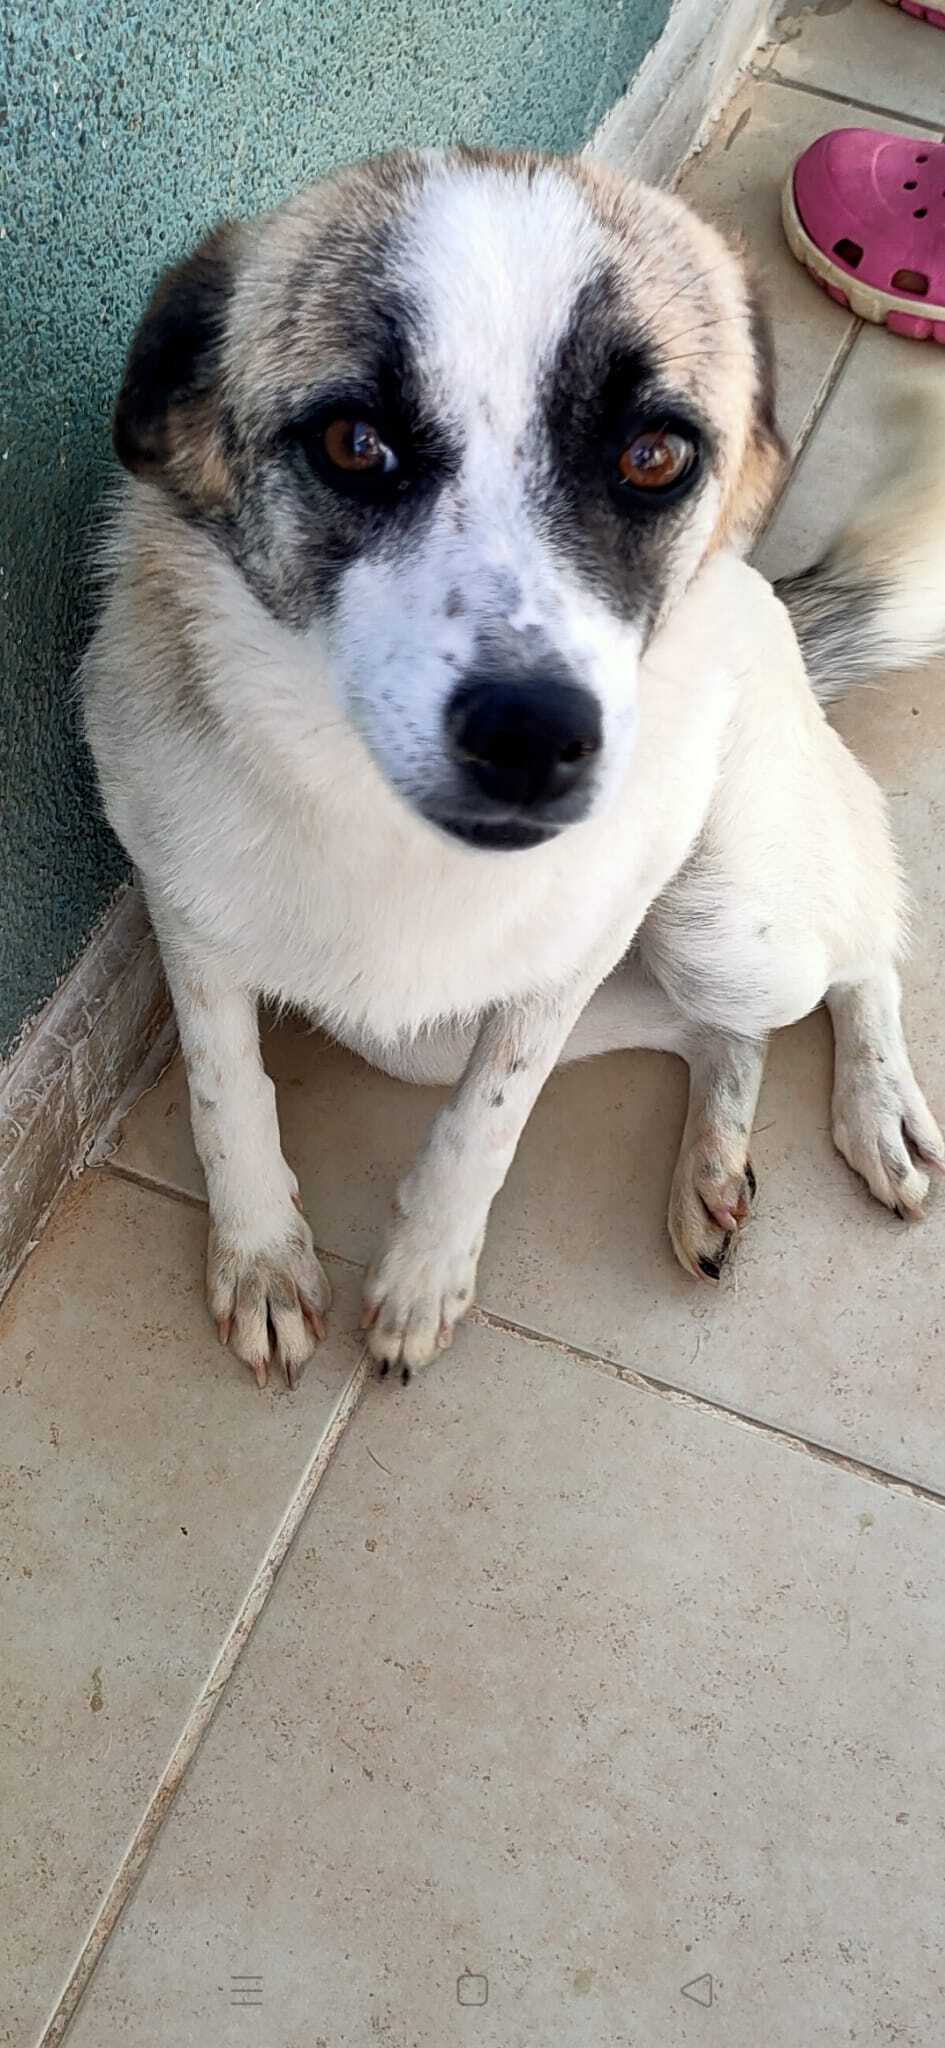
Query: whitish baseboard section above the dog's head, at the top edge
{"type": "Point", "coordinates": [682, 87]}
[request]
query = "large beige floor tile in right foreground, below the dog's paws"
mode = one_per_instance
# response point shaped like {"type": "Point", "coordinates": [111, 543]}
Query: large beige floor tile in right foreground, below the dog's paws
{"type": "Point", "coordinates": [569, 1699]}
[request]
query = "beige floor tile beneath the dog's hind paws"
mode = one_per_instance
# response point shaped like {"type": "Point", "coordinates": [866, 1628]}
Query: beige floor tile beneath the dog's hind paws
{"type": "Point", "coordinates": [831, 1322]}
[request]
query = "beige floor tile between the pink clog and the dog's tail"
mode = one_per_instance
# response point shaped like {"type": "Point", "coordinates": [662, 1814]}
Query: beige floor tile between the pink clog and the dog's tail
{"type": "Point", "coordinates": [850, 445]}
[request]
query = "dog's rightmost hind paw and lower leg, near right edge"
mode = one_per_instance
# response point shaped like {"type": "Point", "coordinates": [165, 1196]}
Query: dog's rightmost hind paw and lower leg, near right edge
{"type": "Point", "coordinates": [880, 1119]}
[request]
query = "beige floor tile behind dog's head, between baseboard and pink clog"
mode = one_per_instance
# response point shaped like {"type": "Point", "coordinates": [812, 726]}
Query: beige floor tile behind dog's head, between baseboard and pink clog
{"type": "Point", "coordinates": [737, 183]}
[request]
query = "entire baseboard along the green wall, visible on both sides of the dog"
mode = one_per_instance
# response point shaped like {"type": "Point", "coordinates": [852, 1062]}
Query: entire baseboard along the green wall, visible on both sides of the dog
{"type": "Point", "coordinates": [110, 1029]}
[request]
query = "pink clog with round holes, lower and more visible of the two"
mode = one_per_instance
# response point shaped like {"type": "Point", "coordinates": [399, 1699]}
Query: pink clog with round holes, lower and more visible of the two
{"type": "Point", "coordinates": [866, 214]}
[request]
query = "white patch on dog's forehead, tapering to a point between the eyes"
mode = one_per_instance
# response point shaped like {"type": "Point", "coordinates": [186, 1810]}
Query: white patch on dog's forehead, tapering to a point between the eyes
{"type": "Point", "coordinates": [495, 261]}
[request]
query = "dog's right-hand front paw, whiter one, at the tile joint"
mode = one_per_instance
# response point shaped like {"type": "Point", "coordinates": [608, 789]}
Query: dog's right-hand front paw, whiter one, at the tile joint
{"type": "Point", "coordinates": [415, 1295]}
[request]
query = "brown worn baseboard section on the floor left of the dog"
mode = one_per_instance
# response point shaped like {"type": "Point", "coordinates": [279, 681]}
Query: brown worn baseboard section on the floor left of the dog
{"type": "Point", "coordinates": [106, 1033]}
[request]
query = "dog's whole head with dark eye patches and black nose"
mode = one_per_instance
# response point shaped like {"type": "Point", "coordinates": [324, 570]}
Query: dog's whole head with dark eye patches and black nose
{"type": "Point", "coordinates": [466, 425]}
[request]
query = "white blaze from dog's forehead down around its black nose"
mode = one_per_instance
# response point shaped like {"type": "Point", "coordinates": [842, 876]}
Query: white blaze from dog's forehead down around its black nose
{"type": "Point", "coordinates": [491, 265]}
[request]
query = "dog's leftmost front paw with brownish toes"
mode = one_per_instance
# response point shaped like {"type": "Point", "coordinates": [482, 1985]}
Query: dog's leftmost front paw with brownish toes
{"type": "Point", "coordinates": [270, 1304]}
